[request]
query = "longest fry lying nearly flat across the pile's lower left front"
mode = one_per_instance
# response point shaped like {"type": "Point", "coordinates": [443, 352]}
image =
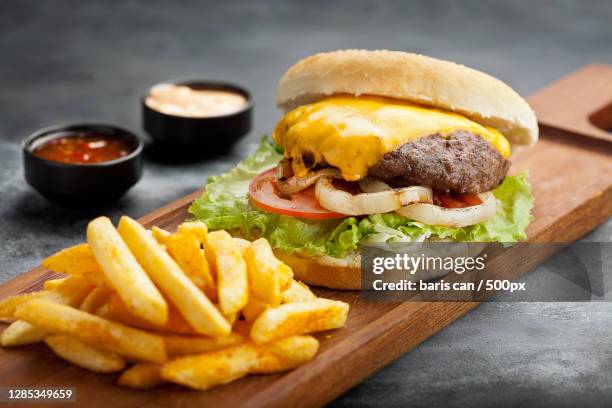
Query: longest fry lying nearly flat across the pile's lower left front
{"type": "Point", "coordinates": [93, 330]}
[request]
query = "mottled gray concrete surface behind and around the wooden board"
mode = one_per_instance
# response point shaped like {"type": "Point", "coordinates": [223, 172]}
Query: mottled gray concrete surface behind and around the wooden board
{"type": "Point", "coordinates": [63, 61]}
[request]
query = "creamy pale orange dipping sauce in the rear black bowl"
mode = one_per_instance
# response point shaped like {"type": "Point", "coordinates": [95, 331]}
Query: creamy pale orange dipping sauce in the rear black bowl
{"type": "Point", "coordinates": [182, 100]}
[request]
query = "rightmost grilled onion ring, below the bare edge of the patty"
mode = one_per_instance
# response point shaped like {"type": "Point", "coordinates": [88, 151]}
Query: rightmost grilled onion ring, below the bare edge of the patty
{"type": "Point", "coordinates": [452, 217]}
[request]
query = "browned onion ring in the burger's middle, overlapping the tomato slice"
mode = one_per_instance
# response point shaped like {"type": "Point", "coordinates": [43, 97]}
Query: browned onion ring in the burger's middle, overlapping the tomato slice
{"type": "Point", "coordinates": [340, 201]}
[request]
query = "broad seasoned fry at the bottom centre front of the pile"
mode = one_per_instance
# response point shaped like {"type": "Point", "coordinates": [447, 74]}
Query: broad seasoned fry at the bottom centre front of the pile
{"type": "Point", "coordinates": [209, 369]}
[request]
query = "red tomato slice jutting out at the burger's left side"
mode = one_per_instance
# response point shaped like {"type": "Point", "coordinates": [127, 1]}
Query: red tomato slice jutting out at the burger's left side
{"type": "Point", "coordinates": [263, 193]}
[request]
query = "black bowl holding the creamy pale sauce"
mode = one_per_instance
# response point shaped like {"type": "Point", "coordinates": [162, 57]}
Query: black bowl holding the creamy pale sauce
{"type": "Point", "coordinates": [198, 136]}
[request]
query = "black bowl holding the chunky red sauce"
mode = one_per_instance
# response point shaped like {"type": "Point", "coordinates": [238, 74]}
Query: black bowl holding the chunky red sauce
{"type": "Point", "coordinates": [82, 185]}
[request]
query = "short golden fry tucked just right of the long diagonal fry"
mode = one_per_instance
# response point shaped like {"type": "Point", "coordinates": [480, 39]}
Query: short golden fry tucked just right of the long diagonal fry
{"type": "Point", "coordinates": [187, 251]}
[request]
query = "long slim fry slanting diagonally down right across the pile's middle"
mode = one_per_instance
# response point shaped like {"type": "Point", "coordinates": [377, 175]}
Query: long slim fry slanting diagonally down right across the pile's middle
{"type": "Point", "coordinates": [195, 307]}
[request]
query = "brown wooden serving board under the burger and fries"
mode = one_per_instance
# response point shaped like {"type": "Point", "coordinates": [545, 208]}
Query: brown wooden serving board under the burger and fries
{"type": "Point", "coordinates": [572, 183]}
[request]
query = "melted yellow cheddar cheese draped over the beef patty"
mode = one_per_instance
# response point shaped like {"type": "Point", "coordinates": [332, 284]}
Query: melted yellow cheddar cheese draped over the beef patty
{"type": "Point", "coordinates": [353, 133]}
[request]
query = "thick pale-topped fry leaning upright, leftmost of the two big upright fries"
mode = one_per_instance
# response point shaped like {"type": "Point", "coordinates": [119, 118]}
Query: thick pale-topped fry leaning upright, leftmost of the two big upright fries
{"type": "Point", "coordinates": [124, 273]}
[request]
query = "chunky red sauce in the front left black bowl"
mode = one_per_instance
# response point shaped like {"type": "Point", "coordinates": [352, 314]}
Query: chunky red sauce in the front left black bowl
{"type": "Point", "coordinates": [83, 148]}
